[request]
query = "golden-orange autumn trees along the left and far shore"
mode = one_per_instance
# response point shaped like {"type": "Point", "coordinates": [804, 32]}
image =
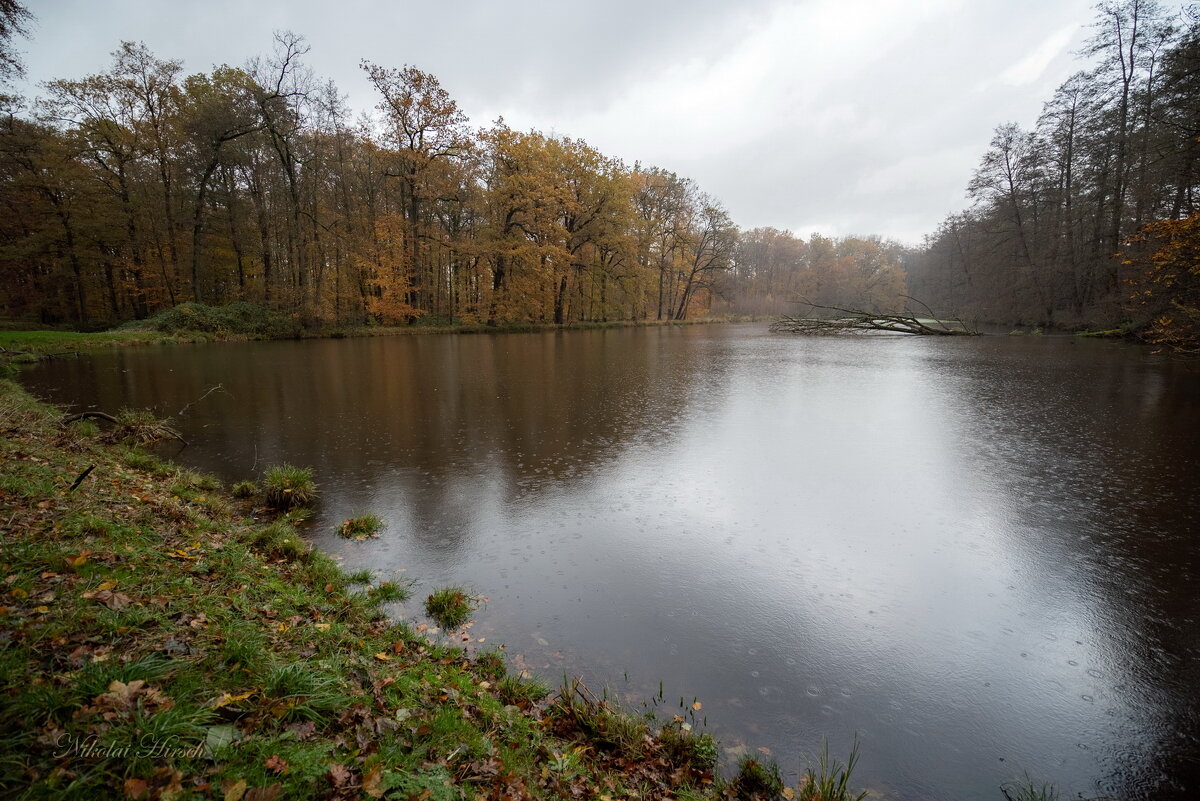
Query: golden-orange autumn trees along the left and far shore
{"type": "Point", "coordinates": [142, 188]}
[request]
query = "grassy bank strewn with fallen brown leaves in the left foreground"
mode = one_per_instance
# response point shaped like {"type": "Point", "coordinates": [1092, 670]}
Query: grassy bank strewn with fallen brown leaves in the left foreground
{"type": "Point", "coordinates": [158, 642]}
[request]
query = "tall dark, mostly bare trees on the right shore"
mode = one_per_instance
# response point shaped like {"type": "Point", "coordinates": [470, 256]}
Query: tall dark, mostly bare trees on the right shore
{"type": "Point", "coordinates": [1058, 234]}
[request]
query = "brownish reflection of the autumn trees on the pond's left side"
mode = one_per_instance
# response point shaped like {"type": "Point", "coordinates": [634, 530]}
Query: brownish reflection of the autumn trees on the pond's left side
{"type": "Point", "coordinates": [435, 424]}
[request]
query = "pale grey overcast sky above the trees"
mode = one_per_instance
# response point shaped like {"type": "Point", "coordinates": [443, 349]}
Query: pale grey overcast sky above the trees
{"type": "Point", "coordinates": [842, 117]}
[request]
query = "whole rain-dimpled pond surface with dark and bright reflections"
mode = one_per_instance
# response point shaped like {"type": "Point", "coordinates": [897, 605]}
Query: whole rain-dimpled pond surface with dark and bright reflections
{"type": "Point", "coordinates": [980, 556]}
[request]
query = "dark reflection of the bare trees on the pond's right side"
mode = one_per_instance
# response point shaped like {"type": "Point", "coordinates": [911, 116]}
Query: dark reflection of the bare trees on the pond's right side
{"type": "Point", "coordinates": [1099, 453]}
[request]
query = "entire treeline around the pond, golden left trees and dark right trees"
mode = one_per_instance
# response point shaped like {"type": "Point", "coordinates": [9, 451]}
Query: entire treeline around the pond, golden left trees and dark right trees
{"type": "Point", "coordinates": [141, 188]}
